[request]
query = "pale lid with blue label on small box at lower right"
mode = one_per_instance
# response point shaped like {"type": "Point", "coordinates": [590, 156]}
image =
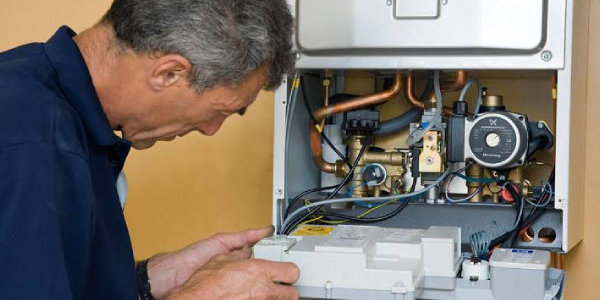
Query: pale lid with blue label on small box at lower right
{"type": "Point", "coordinates": [520, 259]}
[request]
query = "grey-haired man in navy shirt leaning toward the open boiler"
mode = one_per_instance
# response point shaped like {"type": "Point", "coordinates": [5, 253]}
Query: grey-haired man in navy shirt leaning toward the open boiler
{"type": "Point", "coordinates": [153, 70]}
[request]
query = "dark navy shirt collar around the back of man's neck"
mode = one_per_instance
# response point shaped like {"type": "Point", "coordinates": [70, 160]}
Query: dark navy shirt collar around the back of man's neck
{"type": "Point", "coordinates": [76, 84]}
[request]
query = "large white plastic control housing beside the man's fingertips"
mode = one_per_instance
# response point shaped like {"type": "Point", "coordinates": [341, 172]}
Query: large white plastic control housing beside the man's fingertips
{"type": "Point", "coordinates": [368, 258]}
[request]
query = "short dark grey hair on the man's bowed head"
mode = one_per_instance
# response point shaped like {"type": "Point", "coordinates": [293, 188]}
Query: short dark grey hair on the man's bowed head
{"type": "Point", "coordinates": [224, 40]}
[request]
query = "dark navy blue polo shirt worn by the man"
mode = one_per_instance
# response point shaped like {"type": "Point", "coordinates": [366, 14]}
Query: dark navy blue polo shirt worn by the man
{"type": "Point", "coordinates": [62, 230]}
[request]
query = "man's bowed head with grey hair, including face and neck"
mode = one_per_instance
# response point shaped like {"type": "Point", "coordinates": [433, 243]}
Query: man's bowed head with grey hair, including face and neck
{"type": "Point", "coordinates": [178, 66]}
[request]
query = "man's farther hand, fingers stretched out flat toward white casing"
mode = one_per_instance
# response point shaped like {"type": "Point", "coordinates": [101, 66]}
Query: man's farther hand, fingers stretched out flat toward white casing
{"type": "Point", "coordinates": [171, 270]}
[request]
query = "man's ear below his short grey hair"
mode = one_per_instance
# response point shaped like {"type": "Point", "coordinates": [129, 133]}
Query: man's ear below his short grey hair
{"type": "Point", "coordinates": [168, 70]}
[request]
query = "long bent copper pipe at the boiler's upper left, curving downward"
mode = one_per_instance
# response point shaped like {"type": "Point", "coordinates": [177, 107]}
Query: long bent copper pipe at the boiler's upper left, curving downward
{"type": "Point", "coordinates": [356, 103]}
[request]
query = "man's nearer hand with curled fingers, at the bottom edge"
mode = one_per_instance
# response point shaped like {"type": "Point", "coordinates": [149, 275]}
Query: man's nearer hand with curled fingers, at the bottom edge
{"type": "Point", "coordinates": [235, 276]}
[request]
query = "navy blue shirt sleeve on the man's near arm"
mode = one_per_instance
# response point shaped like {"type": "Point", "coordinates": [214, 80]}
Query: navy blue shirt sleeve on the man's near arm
{"type": "Point", "coordinates": [46, 217]}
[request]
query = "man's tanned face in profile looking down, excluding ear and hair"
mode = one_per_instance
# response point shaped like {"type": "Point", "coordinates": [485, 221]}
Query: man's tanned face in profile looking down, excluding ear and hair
{"type": "Point", "coordinates": [179, 109]}
